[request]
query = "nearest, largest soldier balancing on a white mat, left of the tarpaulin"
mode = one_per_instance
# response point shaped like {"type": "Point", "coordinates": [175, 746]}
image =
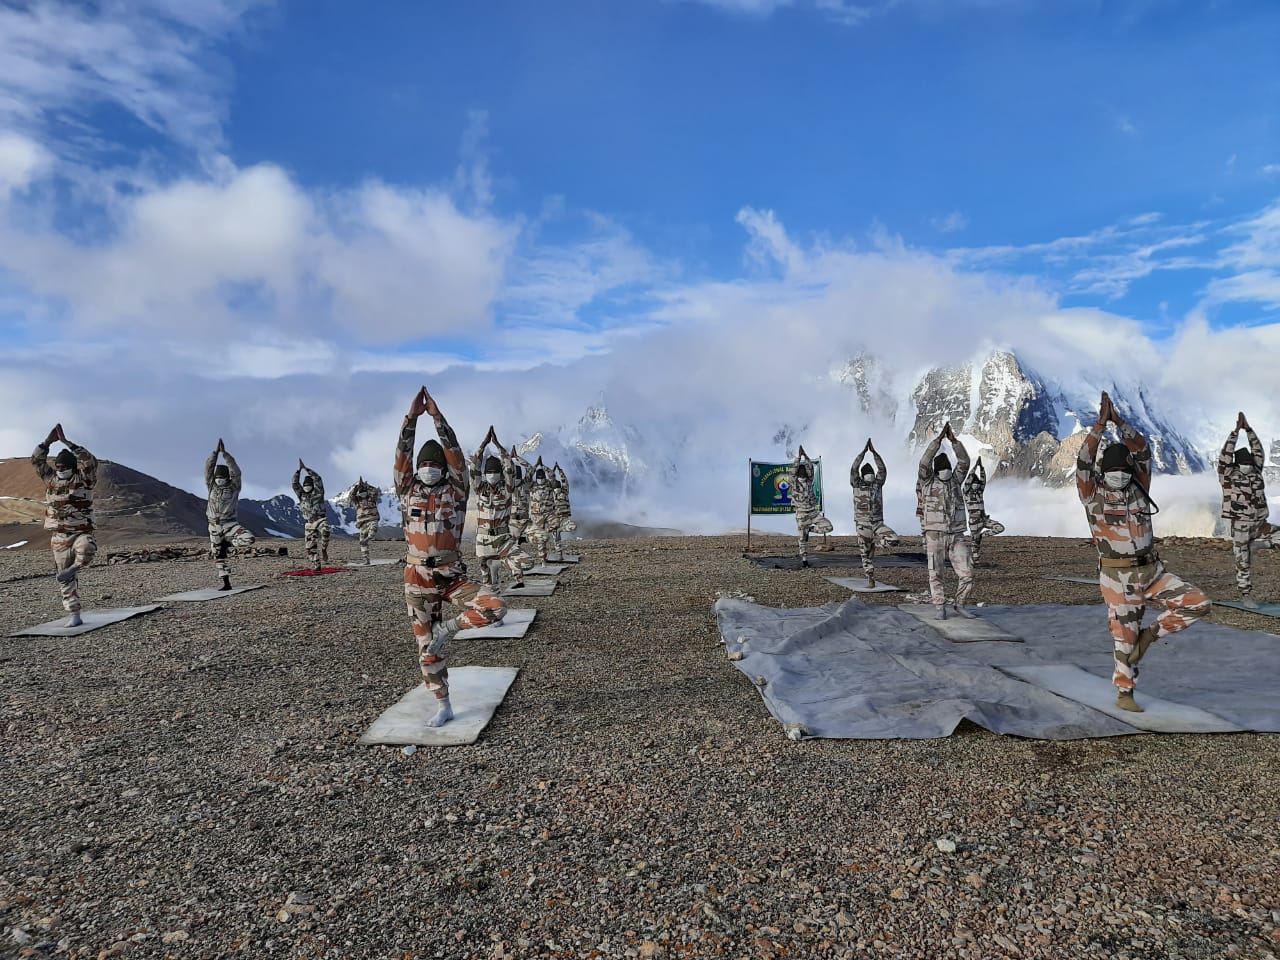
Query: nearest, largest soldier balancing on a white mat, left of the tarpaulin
{"type": "Point", "coordinates": [433, 490]}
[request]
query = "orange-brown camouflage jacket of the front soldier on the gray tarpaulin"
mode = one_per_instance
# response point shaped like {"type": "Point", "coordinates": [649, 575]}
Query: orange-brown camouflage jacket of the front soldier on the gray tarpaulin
{"type": "Point", "coordinates": [1119, 520]}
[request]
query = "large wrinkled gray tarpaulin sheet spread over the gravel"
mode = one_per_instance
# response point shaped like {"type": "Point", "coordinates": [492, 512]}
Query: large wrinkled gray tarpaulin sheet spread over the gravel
{"type": "Point", "coordinates": [852, 670]}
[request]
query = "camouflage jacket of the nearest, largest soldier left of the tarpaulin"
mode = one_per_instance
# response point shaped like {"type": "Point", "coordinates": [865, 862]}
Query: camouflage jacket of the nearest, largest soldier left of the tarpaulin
{"type": "Point", "coordinates": [435, 516]}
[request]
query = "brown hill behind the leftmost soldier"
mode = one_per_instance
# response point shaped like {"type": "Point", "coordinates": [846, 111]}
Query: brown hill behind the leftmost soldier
{"type": "Point", "coordinates": [130, 506]}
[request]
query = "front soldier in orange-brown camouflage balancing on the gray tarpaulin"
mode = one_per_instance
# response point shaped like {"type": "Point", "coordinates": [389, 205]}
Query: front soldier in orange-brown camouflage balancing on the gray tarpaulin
{"type": "Point", "coordinates": [1131, 574]}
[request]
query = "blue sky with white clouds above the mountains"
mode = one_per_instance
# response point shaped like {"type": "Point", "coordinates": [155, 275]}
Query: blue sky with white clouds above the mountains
{"type": "Point", "coordinates": [312, 205]}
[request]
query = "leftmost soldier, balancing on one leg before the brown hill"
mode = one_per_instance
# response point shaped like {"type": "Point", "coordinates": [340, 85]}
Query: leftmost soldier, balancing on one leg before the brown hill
{"type": "Point", "coordinates": [68, 513]}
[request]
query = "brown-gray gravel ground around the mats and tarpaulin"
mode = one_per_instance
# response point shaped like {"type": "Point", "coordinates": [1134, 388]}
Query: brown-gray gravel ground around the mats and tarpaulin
{"type": "Point", "coordinates": [189, 785]}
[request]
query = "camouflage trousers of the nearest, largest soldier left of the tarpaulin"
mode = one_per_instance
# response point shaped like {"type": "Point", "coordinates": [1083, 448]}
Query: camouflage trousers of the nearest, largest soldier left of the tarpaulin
{"type": "Point", "coordinates": [426, 591]}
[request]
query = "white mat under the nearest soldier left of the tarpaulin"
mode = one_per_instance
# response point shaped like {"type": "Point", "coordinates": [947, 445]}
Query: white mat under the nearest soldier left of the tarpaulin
{"type": "Point", "coordinates": [476, 693]}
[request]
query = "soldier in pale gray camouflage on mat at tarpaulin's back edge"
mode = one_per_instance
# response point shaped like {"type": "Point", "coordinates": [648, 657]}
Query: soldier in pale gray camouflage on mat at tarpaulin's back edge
{"type": "Point", "coordinates": [940, 506]}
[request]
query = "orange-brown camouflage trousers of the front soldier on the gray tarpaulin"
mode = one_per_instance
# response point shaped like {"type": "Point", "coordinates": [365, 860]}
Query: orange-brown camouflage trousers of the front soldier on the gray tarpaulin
{"type": "Point", "coordinates": [1128, 592]}
